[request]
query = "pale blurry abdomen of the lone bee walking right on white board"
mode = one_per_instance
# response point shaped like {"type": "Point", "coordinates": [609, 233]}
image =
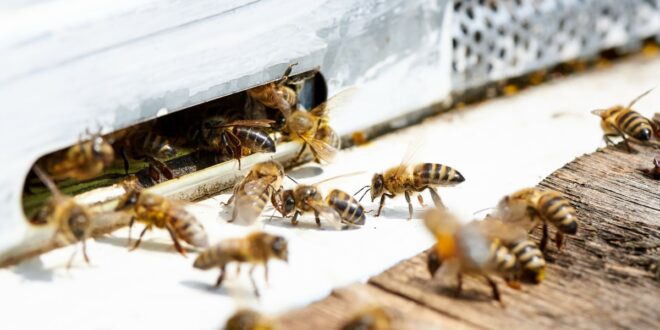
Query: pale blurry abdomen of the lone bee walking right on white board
{"type": "Point", "coordinates": [229, 250]}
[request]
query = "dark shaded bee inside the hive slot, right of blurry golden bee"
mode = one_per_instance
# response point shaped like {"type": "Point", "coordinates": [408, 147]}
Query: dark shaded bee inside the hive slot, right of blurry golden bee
{"type": "Point", "coordinates": [144, 142]}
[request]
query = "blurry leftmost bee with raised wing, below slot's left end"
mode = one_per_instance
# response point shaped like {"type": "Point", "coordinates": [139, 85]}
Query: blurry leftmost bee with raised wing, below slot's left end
{"type": "Point", "coordinates": [72, 221]}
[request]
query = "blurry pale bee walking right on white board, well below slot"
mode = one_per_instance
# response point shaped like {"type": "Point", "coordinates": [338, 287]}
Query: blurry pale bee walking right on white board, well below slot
{"type": "Point", "coordinates": [257, 248]}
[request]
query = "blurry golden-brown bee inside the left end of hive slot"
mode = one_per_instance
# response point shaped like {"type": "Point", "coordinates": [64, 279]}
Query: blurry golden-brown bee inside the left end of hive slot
{"type": "Point", "coordinates": [82, 161]}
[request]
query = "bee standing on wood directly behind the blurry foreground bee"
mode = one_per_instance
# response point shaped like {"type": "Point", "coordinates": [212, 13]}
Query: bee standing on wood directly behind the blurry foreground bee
{"type": "Point", "coordinates": [531, 205]}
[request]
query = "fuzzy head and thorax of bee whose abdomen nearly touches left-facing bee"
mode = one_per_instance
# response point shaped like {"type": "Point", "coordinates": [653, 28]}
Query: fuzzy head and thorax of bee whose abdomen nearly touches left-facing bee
{"type": "Point", "coordinates": [306, 199]}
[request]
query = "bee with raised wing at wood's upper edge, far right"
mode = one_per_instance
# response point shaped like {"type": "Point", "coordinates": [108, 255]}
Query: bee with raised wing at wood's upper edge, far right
{"type": "Point", "coordinates": [624, 122]}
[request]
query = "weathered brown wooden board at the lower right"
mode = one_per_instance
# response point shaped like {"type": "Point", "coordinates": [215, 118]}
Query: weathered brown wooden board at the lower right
{"type": "Point", "coordinates": [607, 276]}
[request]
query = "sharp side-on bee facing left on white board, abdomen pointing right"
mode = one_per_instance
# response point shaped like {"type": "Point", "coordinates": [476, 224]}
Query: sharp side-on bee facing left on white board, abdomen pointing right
{"type": "Point", "coordinates": [410, 179]}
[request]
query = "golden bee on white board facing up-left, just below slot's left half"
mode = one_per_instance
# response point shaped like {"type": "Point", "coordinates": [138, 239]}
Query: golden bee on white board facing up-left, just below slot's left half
{"type": "Point", "coordinates": [158, 211]}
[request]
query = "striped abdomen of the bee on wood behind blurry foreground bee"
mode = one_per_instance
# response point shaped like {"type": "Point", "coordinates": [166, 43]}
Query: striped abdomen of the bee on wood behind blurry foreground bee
{"type": "Point", "coordinates": [557, 209]}
